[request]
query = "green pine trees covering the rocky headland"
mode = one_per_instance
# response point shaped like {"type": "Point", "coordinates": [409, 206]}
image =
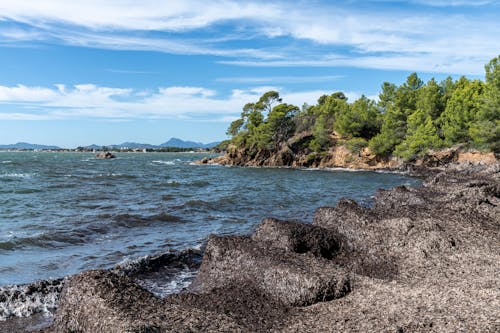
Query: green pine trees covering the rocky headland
{"type": "Point", "coordinates": [406, 121]}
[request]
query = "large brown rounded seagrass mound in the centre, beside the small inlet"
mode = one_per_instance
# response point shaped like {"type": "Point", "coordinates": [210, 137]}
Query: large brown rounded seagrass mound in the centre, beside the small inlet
{"type": "Point", "coordinates": [291, 278]}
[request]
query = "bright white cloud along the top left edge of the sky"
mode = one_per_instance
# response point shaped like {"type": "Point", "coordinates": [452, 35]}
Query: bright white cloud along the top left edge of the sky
{"type": "Point", "coordinates": [133, 15]}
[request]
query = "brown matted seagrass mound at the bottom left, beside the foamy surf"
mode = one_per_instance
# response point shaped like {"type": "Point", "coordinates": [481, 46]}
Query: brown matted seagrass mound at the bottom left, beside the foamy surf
{"type": "Point", "coordinates": [101, 301]}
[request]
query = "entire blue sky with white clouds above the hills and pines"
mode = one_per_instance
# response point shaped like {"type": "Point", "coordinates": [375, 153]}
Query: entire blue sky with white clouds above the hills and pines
{"type": "Point", "coordinates": [74, 73]}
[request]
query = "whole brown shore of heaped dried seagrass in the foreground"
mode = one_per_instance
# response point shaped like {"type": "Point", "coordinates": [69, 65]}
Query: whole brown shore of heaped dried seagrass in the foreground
{"type": "Point", "coordinates": [420, 260]}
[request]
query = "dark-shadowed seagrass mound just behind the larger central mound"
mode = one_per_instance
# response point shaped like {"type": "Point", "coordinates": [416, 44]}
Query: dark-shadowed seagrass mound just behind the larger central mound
{"type": "Point", "coordinates": [299, 238]}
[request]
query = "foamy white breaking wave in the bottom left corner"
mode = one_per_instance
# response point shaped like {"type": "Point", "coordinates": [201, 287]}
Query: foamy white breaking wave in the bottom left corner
{"type": "Point", "coordinates": [28, 299]}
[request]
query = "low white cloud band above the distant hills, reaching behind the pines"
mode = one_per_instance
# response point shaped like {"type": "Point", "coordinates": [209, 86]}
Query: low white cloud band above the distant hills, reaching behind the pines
{"type": "Point", "coordinates": [84, 101]}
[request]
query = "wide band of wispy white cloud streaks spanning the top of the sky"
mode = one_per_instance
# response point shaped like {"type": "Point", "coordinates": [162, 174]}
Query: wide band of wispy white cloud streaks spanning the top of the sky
{"type": "Point", "coordinates": [258, 33]}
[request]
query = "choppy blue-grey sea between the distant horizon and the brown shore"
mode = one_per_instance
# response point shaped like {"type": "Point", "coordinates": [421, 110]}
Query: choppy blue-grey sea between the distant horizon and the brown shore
{"type": "Point", "coordinates": [61, 213]}
